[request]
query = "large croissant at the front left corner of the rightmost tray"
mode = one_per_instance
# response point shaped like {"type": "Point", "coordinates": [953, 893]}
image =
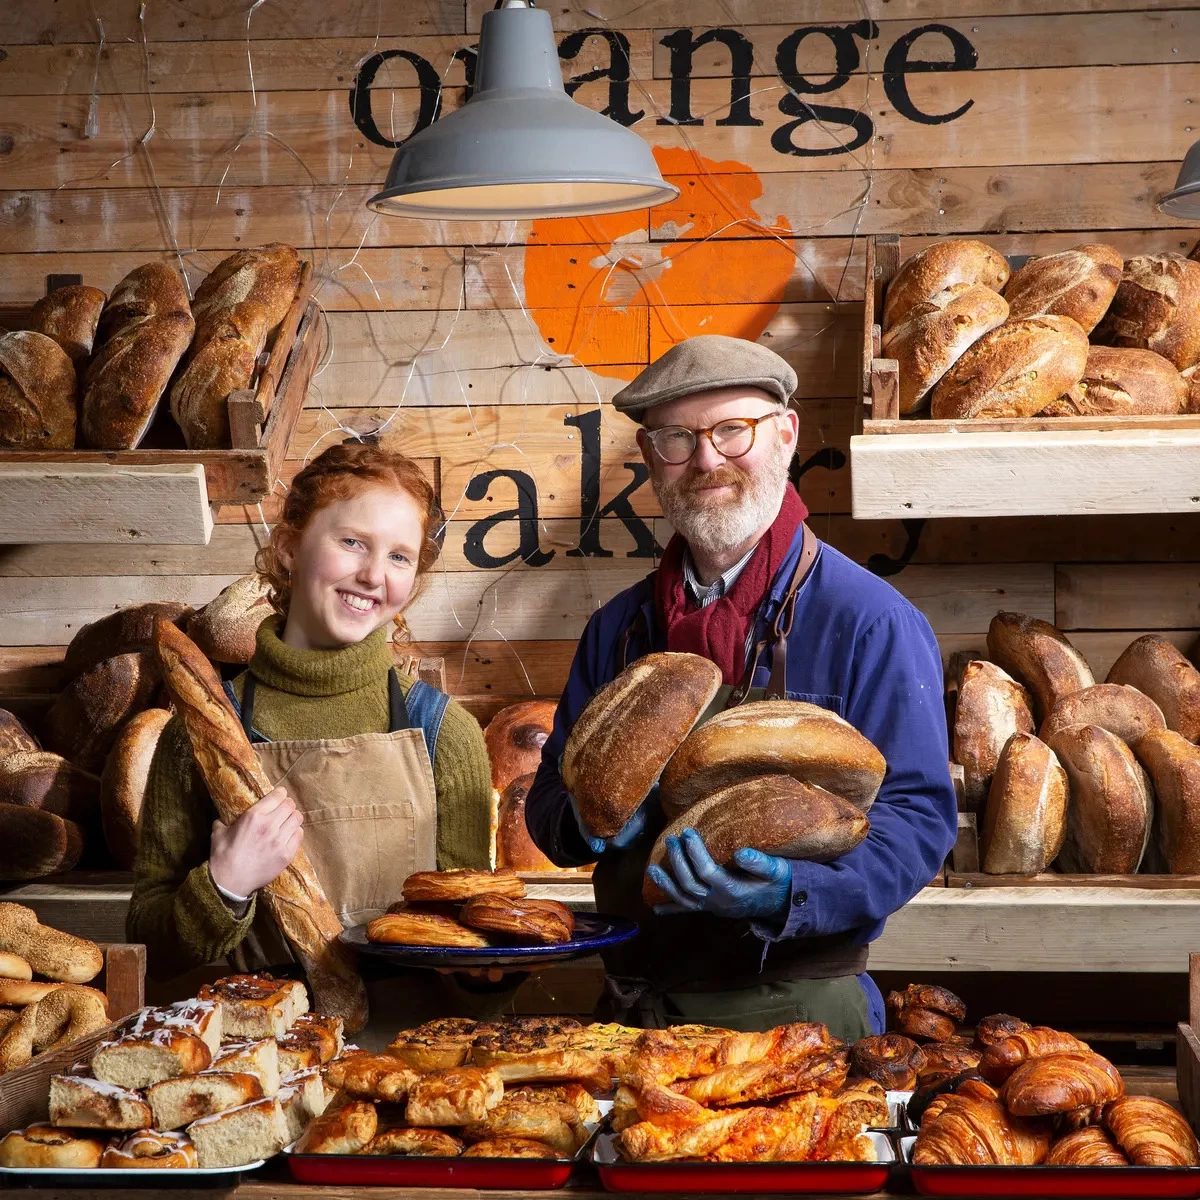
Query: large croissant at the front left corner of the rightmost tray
{"type": "Point", "coordinates": [971, 1132]}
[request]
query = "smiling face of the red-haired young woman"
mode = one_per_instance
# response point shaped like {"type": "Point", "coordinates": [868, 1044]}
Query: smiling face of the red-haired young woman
{"type": "Point", "coordinates": [353, 568]}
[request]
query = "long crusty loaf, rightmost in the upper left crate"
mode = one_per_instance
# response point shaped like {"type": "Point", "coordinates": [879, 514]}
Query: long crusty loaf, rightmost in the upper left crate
{"type": "Point", "coordinates": [237, 308]}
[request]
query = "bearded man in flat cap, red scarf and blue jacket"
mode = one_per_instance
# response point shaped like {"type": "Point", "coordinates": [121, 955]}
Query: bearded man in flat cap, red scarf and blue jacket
{"type": "Point", "coordinates": [742, 583]}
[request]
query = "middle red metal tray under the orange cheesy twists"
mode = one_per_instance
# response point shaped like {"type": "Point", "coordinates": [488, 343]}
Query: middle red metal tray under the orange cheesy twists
{"type": "Point", "coordinates": [825, 1179]}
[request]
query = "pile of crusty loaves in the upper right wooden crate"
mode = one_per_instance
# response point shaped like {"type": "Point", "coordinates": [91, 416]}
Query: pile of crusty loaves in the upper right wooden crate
{"type": "Point", "coordinates": [1081, 333]}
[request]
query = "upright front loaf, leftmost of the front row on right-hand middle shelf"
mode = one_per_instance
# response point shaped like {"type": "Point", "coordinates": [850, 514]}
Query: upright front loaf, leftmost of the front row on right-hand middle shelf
{"type": "Point", "coordinates": [1025, 818]}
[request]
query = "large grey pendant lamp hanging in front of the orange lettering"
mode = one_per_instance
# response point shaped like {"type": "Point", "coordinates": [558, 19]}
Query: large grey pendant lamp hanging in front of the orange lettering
{"type": "Point", "coordinates": [520, 147]}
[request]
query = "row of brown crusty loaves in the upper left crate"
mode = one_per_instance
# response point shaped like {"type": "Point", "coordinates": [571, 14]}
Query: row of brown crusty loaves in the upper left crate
{"type": "Point", "coordinates": [93, 370]}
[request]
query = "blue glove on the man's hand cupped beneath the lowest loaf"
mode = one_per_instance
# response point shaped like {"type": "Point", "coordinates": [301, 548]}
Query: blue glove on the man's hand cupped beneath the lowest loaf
{"type": "Point", "coordinates": [760, 889]}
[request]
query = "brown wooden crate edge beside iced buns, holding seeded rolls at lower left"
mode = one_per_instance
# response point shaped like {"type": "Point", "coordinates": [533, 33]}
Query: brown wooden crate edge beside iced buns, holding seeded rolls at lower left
{"type": "Point", "coordinates": [25, 1093]}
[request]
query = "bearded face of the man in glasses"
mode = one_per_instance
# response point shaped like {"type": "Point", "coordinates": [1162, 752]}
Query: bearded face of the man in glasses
{"type": "Point", "coordinates": [718, 503]}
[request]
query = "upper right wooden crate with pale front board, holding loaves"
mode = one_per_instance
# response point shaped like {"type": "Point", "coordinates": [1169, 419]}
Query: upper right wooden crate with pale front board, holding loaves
{"type": "Point", "coordinates": [1036, 467]}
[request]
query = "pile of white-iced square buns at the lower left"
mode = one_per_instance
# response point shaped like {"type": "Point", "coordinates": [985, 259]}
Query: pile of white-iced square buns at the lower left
{"type": "Point", "coordinates": [221, 1081]}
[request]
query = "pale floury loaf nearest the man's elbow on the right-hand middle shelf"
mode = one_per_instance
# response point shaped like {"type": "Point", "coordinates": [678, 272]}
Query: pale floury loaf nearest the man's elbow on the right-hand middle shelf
{"type": "Point", "coordinates": [992, 707]}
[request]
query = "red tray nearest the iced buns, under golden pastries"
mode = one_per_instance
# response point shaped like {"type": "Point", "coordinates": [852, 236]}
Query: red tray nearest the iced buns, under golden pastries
{"type": "Point", "coordinates": [357, 1171]}
